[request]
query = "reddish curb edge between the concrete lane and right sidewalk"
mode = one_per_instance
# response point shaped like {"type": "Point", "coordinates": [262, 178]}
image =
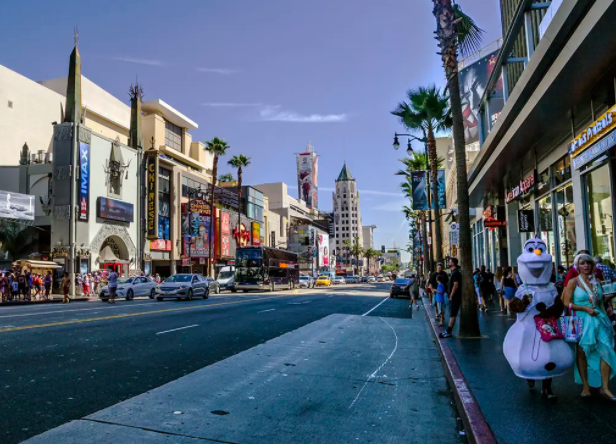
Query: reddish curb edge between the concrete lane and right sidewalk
{"type": "Point", "coordinates": [476, 427]}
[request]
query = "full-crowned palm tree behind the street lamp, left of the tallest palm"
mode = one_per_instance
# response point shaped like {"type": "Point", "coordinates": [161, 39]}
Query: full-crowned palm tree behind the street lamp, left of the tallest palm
{"type": "Point", "coordinates": [427, 112]}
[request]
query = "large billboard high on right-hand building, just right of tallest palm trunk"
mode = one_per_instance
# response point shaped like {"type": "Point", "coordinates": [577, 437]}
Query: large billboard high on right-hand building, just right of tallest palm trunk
{"type": "Point", "coordinates": [473, 80]}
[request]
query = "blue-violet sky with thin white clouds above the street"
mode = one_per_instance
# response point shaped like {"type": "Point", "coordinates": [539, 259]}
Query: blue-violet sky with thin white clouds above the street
{"type": "Point", "coordinates": [268, 76]}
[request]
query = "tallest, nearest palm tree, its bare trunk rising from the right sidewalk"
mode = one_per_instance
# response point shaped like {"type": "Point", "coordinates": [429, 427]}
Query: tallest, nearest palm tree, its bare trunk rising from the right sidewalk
{"type": "Point", "coordinates": [455, 31]}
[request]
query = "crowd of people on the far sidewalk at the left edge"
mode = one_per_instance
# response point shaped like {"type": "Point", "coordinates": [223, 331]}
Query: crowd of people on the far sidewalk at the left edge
{"type": "Point", "coordinates": [24, 285]}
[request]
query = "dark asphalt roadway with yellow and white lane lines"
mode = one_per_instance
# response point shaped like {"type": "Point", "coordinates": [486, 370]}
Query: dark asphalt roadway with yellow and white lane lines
{"type": "Point", "coordinates": [62, 362]}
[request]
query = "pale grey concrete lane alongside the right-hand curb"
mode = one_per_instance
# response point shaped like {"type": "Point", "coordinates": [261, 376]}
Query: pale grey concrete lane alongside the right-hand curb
{"type": "Point", "coordinates": [342, 379]}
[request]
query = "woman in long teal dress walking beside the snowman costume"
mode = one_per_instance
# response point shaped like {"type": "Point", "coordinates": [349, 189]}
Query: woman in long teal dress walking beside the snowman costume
{"type": "Point", "coordinates": [595, 356]}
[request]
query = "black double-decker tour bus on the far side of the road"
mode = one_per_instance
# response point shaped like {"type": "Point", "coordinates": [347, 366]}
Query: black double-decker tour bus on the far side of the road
{"type": "Point", "coordinates": [265, 268]}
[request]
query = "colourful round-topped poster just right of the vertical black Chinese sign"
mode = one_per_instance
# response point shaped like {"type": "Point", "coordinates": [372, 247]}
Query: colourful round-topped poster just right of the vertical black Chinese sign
{"type": "Point", "coordinates": [196, 219]}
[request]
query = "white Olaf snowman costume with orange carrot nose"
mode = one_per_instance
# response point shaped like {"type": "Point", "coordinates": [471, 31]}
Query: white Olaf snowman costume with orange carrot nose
{"type": "Point", "coordinates": [529, 356]}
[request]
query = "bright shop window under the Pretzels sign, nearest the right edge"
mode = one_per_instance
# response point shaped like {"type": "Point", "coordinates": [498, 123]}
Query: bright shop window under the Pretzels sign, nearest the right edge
{"type": "Point", "coordinates": [599, 198]}
